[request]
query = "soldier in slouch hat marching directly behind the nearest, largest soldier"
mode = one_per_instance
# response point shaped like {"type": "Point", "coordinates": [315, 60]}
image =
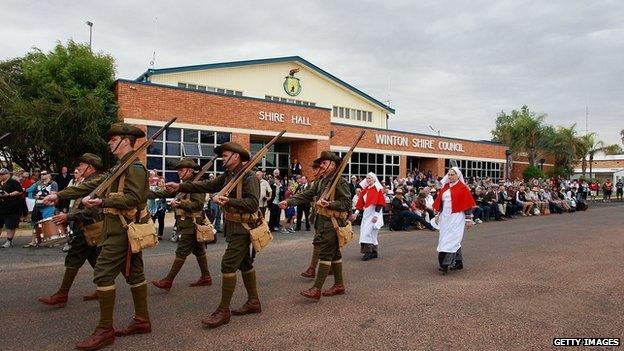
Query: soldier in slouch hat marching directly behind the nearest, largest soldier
{"type": "Point", "coordinates": [240, 210]}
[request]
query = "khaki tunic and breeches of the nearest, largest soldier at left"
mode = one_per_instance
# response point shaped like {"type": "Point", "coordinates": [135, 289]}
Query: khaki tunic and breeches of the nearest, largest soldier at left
{"type": "Point", "coordinates": [114, 248]}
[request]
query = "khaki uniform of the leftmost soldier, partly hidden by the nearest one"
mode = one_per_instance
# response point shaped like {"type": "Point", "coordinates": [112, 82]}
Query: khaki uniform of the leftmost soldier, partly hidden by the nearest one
{"type": "Point", "coordinates": [79, 217]}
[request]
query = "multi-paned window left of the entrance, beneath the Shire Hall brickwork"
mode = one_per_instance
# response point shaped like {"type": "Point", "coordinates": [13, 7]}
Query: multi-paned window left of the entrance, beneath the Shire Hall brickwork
{"type": "Point", "coordinates": [175, 143]}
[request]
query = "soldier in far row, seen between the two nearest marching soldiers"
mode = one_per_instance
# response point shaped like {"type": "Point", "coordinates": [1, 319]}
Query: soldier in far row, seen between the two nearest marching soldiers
{"type": "Point", "coordinates": [188, 212]}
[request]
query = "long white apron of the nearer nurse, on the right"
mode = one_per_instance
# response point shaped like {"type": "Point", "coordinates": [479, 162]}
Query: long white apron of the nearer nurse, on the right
{"type": "Point", "coordinates": [451, 226]}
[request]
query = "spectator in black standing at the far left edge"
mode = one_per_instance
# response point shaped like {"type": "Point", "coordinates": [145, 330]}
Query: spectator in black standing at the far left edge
{"type": "Point", "coordinates": [11, 200]}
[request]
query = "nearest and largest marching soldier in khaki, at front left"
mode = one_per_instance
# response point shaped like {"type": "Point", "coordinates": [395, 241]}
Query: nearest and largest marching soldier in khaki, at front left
{"type": "Point", "coordinates": [126, 198]}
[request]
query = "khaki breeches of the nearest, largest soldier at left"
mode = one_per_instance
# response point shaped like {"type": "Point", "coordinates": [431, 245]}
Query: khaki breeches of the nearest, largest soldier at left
{"type": "Point", "coordinates": [112, 261]}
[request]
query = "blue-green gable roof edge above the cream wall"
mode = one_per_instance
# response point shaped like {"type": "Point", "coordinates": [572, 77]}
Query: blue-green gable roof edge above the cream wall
{"type": "Point", "coordinates": [155, 71]}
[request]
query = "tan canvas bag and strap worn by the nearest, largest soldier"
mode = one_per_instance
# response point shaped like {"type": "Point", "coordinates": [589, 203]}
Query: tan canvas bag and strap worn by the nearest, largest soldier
{"type": "Point", "coordinates": [140, 235]}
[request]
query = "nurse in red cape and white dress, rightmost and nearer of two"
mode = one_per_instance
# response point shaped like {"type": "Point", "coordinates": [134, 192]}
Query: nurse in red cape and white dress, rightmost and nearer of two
{"type": "Point", "coordinates": [453, 206]}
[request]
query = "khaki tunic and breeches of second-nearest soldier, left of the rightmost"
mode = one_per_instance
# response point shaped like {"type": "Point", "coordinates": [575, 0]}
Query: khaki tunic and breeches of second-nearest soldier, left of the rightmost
{"type": "Point", "coordinates": [237, 256]}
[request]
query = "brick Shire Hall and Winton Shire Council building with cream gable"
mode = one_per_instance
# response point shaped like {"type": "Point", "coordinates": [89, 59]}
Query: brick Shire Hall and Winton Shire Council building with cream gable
{"type": "Point", "coordinates": [250, 101]}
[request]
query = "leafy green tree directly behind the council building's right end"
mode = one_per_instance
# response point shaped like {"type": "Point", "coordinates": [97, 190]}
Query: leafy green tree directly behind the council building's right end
{"type": "Point", "coordinates": [523, 131]}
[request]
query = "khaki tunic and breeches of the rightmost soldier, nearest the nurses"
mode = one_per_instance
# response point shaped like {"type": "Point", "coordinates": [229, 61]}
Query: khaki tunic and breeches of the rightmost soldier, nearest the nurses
{"type": "Point", "coordinates": [327, 236]}
